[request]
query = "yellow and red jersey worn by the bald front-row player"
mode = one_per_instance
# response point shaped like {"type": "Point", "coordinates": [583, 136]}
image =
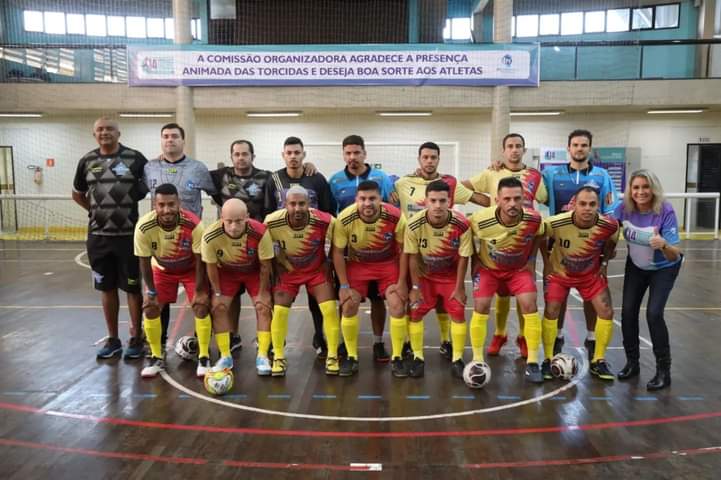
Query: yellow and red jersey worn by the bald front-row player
{"type": "Point", "coordinates": [243, 254]}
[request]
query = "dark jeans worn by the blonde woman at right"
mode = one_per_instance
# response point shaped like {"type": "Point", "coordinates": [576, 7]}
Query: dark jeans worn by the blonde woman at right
{"type": "Point", "coordinates": [635, 283]}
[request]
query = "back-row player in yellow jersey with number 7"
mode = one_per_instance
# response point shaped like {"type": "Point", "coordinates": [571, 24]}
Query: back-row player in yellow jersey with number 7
{"type": "Point", "coordinates": [411, 191]}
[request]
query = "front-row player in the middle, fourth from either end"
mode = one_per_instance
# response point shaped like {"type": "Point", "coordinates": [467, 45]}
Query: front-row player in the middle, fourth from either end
{"type": "Point", "coordinates": [372, 233]}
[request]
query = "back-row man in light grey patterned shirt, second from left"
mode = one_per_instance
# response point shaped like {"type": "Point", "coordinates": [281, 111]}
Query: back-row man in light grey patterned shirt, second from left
{"type": "Point", "coordinates": [189, 176]}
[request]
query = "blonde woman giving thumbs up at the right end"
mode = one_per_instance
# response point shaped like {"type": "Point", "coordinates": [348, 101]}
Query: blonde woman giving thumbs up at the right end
{"type": "Point", "coordinates": [654, 260]}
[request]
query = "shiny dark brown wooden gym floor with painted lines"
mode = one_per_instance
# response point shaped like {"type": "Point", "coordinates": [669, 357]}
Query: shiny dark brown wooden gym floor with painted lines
{"type": "Point", "coordinates": [63, 414]}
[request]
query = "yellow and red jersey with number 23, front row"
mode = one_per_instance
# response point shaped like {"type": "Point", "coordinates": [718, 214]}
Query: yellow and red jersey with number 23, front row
{"type": "Point", "coordinates": [440, 248]}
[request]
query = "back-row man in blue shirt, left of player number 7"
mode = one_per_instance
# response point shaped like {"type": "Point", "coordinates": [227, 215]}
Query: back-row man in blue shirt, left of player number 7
{"type": "Point", "coordinates": [344, 185]}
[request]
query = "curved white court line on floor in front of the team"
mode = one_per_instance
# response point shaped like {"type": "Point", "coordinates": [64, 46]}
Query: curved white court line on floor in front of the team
{"type": "Point", "coordinates": [581, 374]}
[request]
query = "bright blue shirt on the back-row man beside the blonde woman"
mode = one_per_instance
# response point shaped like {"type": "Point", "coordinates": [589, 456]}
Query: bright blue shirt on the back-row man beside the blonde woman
{"type": "Point", "coordinates": [563, 182]}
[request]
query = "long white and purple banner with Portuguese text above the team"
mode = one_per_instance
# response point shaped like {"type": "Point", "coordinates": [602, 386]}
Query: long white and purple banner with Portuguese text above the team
{"type": "Point", "coordinates": [319, 65]}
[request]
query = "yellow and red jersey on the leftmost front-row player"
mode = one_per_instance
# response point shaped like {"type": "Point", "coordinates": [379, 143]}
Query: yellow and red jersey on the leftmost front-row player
{"type": "Point", "coordinates": [171, 250]}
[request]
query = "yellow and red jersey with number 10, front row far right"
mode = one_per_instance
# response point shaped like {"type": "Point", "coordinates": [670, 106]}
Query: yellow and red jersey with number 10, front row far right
{"type": "Point", "coordinates": [576, 251]}
